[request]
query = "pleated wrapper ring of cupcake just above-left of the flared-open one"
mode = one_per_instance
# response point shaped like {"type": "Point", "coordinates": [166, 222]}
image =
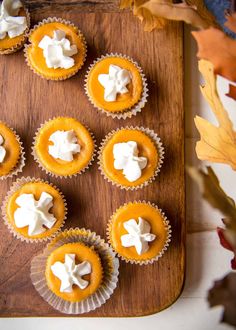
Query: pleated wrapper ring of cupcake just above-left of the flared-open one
{"type": "Point", "coordinates": [16, 186]}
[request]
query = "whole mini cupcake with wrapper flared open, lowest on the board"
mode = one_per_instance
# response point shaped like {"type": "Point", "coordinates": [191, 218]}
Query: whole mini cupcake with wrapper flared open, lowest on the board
{"type": "Point", "coordinates": [76, 273]}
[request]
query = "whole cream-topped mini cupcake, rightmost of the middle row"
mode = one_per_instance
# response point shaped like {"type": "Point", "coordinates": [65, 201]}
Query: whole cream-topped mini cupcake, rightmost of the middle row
{"type": "Point", "coordinates": [131, 157]}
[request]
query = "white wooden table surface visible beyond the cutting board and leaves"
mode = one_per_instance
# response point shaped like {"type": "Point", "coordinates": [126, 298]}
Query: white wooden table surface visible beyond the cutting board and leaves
{"type": "Point", "coordinates": [206, 259]}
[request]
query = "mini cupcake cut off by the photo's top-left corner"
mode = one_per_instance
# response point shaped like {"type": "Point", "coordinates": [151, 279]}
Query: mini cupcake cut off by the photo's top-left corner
{"type": "Point", "coordinates": [14, 26]}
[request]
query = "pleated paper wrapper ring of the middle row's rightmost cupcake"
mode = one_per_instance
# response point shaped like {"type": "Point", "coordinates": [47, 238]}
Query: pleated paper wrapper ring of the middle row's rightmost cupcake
{"type": "Point", "coordinates": [156, 140]}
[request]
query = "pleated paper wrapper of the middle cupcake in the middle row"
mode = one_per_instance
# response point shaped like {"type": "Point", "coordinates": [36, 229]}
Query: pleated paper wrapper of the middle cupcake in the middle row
{"type": "Point", "coordinates": [36, 158]}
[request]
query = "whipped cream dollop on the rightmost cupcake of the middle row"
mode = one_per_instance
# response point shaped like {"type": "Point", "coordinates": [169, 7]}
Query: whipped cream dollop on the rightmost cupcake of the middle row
{"type": "Point", "coordinates": [126, 159]}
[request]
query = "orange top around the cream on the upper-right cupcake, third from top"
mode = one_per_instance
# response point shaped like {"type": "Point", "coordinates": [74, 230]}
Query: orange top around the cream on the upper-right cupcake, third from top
{"type": "Point", "coordinates": [123, 101]}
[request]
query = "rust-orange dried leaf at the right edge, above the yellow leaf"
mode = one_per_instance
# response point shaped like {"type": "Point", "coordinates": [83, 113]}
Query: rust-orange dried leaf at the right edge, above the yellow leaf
{"type": "Point", "coordinates": [216, 47]}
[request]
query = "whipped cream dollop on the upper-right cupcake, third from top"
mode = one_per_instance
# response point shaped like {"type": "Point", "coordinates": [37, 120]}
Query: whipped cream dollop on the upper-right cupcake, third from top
{"type": "Point", "coordinates": [115, 82]}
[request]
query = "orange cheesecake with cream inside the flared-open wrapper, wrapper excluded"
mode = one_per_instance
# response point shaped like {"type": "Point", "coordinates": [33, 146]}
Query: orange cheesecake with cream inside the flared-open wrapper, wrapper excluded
{"type": "Point", "coordinates": [81, 261]}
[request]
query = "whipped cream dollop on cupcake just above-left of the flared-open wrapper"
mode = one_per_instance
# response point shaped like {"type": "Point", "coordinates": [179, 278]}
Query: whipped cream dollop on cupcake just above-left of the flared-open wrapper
{"type": "Point", "coordinates": [34, 214]}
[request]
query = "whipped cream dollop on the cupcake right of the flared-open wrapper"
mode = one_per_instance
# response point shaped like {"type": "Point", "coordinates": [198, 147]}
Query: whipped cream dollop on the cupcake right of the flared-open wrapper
{"type": "Point", "coordinates": [138, 235]}
